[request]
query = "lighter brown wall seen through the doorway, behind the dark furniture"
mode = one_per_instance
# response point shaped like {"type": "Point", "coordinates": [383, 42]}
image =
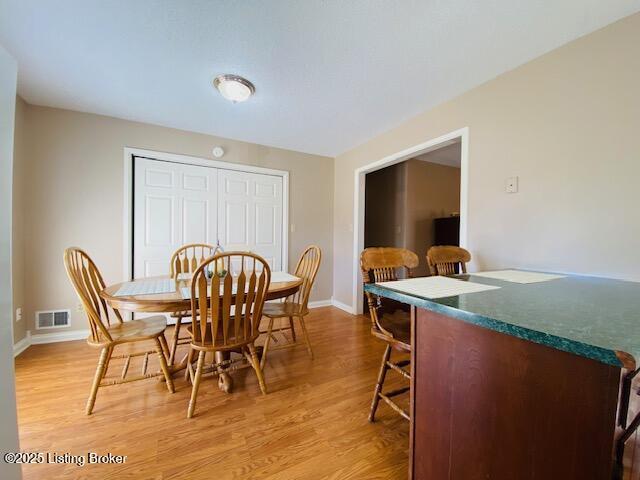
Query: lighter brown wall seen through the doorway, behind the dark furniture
{"type": "Point", "coordinates": [432, 191]}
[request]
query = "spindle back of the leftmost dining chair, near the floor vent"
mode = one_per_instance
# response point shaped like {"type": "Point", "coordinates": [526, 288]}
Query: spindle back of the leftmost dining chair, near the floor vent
{"type": "Point", "coordinates": [88, 282]}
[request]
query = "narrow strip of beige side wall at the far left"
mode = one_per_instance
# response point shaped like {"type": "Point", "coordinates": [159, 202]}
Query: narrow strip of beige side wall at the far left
{"type": "Point", "coordinates": [20, 178]}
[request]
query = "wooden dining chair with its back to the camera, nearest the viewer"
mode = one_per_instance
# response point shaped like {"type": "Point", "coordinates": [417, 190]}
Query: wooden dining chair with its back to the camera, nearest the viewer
{"type": "Point", "coordinates": [226, 313]}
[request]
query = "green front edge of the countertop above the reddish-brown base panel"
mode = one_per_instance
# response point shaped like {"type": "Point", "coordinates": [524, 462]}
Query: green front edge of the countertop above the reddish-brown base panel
{"type": "Point", "coordinates": [600, 354]}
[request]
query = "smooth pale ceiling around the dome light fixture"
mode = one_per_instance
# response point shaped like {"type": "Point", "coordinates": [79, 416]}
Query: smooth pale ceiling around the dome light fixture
{"type": "Point", "coordinates": [329, 74]}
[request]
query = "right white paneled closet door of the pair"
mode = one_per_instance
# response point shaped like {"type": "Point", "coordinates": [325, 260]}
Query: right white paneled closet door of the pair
{"type": "Point", "coordinates": [250, 214]}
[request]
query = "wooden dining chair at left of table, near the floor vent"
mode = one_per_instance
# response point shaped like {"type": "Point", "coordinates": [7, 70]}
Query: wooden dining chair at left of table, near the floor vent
{"type": "Point", "coordinates": [107, 334]}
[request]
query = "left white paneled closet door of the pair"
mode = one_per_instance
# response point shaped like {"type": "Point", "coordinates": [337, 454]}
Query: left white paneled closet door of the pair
{"type": "Point", "coordinates": [174, 204]}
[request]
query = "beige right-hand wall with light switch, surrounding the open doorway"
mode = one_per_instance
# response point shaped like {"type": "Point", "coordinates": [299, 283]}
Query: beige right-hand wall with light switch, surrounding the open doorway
{"type": "Point", "coordinates": [567, 124]}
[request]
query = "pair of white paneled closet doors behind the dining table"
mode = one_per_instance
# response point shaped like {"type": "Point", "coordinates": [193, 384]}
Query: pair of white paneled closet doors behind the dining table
{"type": "Point", "coordinates": [176, 203]}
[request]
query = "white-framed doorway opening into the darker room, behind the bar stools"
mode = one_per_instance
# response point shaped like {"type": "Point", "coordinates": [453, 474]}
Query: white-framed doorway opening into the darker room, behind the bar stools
{"type": "Point", "coordinates": [413, 199]}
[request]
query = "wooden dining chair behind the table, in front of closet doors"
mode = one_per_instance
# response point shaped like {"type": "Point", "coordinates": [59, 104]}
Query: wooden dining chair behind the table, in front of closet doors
{"type": "Point", "coordinates": [186, 260]}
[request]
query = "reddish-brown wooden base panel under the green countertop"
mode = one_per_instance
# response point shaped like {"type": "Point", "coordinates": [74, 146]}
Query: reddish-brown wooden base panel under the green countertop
{"type": "Point", "coordinates": [486, 405]}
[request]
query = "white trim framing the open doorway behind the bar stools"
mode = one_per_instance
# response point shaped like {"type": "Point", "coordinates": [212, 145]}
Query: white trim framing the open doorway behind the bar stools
{"type": "Point", "coordinates": [359, 190]}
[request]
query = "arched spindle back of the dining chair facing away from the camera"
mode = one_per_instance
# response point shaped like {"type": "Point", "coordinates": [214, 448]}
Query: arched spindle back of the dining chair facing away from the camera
{"type": "Point", "coordinates": [239, 280]}
